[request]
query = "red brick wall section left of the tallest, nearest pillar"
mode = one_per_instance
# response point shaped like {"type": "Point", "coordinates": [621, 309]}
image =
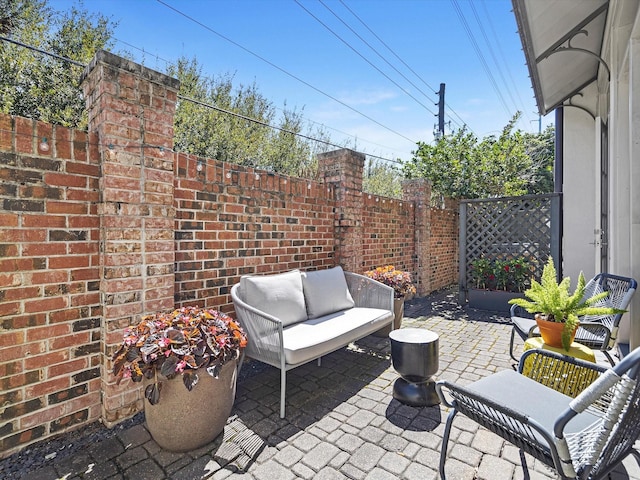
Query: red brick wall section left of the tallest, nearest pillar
{"type": "Point", "coordinates": [50, 307]}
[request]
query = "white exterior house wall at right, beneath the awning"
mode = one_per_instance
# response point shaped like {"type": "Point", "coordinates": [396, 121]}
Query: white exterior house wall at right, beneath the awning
{"type": "Point", "coordinates": [618, 101]}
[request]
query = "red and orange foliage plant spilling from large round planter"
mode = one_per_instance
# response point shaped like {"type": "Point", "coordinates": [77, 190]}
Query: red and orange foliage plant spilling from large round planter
{"type": "Point", "coordinates": [180, 342]}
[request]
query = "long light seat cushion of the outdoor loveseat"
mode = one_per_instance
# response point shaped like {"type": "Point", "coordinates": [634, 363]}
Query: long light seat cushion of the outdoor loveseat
{"type": "Point", "coordinates": [318, 336]}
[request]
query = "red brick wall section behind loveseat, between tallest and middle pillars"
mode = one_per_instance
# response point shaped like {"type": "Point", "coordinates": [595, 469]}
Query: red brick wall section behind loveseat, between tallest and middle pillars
{"type": "Point", "coordinates": [232, 221]}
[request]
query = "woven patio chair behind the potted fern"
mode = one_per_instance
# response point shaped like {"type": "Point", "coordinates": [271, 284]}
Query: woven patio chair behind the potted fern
{"type": "Point", "coordinates": [598, 333]}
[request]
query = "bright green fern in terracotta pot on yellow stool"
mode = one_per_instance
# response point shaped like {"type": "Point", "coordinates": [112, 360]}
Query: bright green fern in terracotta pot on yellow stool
{"type": "Point", "coordinates": [557, 312]}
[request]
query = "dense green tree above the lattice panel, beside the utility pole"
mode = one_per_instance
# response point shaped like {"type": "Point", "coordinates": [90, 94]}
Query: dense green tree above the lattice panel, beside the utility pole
{"type": "Point", "coordinates": [460, 166]}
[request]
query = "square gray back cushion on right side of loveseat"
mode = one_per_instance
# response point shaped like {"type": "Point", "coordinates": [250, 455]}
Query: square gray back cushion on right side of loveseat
{"type": "Point", "coordinates": [326, 291]}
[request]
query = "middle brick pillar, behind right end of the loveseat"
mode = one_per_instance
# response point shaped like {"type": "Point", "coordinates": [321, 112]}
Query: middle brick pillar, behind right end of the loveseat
{"type": "Point", "coordinates": [343, 169]}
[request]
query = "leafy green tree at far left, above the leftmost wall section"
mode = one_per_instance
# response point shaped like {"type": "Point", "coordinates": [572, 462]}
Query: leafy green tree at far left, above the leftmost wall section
{"type": "Point", "coordinates": [40, 86]}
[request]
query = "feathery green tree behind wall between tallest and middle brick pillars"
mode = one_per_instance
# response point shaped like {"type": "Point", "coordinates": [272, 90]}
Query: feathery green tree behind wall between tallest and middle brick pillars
{"type": "Point", "coordinates": [238, 128]}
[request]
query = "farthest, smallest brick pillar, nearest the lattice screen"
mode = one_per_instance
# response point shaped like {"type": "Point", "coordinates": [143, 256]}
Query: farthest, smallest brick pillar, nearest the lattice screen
{"type": "Point", "coordinates": [418, 191]}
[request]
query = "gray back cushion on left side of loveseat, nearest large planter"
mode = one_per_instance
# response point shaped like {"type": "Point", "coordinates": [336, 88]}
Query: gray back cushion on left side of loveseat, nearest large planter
{"type": "Point", "coordinates": [279, 295]}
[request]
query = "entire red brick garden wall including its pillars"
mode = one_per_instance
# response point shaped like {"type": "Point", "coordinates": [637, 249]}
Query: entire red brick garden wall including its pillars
{"type": "Point", "coordinates": [101, 228]}
